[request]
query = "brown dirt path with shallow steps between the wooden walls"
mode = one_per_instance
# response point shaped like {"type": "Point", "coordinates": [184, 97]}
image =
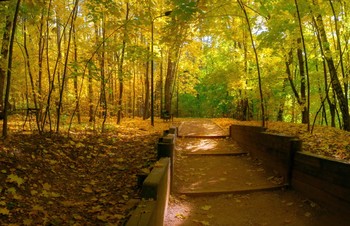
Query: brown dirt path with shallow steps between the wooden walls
{"type": "Point", "coordinates": [217, 183]}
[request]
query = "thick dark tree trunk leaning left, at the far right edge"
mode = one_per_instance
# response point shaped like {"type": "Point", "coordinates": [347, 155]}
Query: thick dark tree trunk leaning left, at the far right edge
{"type": "Point", "coordinates": [336, 85]}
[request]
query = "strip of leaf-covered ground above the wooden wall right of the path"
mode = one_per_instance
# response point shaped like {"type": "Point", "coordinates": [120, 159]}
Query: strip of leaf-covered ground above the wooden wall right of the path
{"type": "Point", "coordinates": [323, 141]}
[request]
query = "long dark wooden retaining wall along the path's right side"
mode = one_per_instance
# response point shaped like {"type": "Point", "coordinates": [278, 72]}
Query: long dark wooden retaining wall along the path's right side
{"type": "Point", "coordinates": [322, 179]}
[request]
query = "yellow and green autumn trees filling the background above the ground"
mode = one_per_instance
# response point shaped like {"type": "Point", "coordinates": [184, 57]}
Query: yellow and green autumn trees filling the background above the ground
{"type": "Point", "coordinates": [72, 61]}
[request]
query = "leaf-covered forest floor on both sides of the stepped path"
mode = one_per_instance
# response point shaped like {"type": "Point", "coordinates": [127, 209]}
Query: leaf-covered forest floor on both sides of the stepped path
{"type": "Point", "coordinates": [90, 178]}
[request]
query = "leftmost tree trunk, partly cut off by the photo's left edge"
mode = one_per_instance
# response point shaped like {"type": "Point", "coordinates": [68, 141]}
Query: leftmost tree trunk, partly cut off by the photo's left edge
{"type": "Point", "coordinates": [3, 61]}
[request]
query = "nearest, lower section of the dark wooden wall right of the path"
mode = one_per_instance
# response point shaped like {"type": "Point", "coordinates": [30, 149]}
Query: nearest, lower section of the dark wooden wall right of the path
{"type": "Point", "coordinates": [323, 179]}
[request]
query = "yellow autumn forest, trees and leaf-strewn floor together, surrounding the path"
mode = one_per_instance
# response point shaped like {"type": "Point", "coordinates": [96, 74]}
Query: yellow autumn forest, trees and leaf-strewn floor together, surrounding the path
{"type": "Point", "coordinates": [88, 87]}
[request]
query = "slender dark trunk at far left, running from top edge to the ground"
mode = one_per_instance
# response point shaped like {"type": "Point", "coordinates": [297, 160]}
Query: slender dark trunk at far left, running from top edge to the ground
{"type": "Point", "coordinates": [9, 68]}
